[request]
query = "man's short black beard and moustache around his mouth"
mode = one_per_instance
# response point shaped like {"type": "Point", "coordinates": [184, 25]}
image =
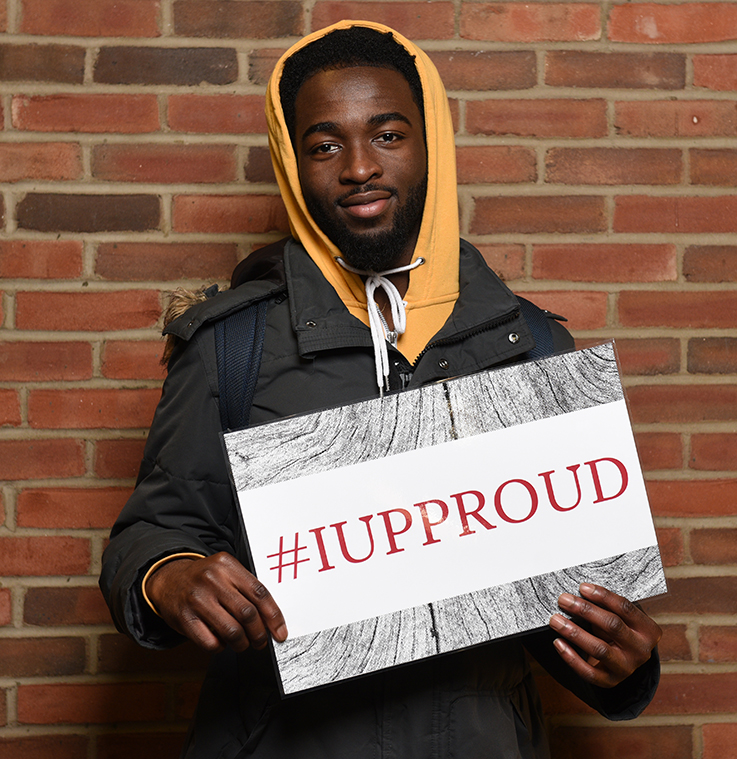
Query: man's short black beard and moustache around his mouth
{"type": "Point", "coordinates": [373, 251]}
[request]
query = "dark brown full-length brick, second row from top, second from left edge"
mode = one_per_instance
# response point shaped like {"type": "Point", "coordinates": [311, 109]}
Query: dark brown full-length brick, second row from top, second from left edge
{"type": "Point", "coordinates": [180, 66]}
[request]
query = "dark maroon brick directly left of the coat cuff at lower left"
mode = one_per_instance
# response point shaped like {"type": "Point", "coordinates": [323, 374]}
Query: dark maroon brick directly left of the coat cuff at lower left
{"type": "Point", "coordinates": [53, 607]}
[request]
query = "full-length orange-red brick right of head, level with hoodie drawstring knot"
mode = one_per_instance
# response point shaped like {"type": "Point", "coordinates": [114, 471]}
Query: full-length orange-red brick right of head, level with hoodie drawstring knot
{"type": "Point", "coordinates": [610, 262]}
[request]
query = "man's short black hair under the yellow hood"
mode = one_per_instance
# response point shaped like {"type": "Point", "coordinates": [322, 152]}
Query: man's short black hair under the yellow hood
{"type": "Point", "coordinates": [346, 48]}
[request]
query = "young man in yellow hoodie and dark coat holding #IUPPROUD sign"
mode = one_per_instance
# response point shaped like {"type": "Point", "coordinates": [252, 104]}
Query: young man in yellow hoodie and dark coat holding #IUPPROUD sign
{"type": "Point", "coordinates": [373, 293]}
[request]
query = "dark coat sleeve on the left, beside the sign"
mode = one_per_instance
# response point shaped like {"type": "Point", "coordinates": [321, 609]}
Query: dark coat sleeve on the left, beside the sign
{"type": "Point", "coordinates": [183, 499]}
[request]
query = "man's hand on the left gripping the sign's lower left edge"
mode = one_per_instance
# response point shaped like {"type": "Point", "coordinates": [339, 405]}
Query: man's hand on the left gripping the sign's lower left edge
{"type": "Point", "coordinates": [215, 602]}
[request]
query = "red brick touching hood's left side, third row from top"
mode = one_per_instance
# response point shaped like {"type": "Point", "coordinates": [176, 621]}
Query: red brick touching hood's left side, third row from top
{"type": "Point", "coordinates": [217, 114]}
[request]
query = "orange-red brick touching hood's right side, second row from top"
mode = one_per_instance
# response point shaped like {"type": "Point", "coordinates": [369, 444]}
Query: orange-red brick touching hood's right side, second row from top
{"type": "Point", "coordinates": [486, 69]}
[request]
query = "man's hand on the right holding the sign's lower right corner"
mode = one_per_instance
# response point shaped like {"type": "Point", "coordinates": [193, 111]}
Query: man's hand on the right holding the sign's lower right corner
{"type": "Point", "coordinates": [622, 636]}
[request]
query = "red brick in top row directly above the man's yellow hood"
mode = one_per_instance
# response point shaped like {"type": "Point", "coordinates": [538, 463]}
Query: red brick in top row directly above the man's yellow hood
{"type": "Point", "coordinates": [415, 20]}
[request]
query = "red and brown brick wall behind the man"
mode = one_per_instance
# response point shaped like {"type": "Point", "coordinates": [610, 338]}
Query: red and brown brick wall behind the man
{"type": "Point", "coordinates": [598, 174]}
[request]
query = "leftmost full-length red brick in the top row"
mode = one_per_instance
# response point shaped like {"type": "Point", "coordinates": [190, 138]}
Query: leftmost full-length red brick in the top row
{"type": "Point", "coordinates": [91, 18]}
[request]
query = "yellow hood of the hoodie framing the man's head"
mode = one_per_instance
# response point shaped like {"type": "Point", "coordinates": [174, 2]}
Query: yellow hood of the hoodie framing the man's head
{"type": "Point", "coordinates": [433, 287]}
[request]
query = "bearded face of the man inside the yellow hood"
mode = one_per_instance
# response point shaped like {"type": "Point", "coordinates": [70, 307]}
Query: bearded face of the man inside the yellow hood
{"type": "Point", "coordinates": [362, 163]}
